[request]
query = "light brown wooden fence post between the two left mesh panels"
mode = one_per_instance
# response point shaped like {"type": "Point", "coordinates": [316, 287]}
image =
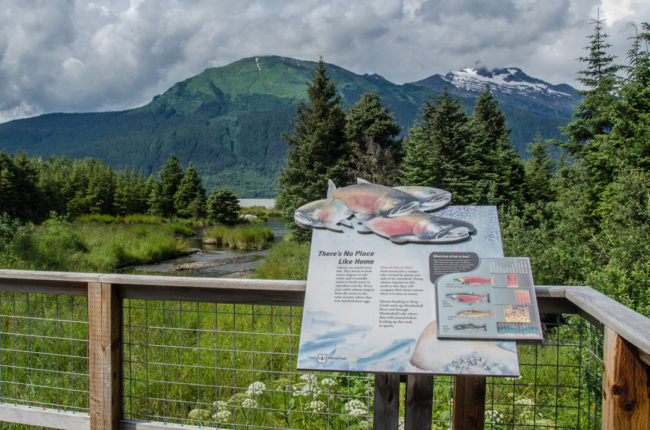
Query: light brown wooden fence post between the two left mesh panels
{"type": "Point", "coordinates": [104, 356]}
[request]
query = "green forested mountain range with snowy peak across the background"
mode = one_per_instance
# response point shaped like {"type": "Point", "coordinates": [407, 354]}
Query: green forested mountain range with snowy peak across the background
{"type": "Point", "coordinates": [229, 121]}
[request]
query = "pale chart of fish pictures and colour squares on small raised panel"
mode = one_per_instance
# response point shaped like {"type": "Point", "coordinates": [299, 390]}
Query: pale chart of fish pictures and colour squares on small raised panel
{"type": "Point", "coordinates": [494, 301]}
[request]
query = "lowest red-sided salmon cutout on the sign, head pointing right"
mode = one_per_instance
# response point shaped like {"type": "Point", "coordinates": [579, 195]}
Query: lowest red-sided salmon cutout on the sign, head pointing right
{"type": "Point", "coordinates": [420, 227]}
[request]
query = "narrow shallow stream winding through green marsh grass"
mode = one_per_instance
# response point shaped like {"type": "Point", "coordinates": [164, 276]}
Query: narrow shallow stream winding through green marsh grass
{"type": "Point", "coordinates": [211, 261]}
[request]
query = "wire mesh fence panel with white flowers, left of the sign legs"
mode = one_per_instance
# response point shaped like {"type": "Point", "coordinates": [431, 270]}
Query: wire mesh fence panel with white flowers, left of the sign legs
{"type": "Point", "coordinates": [232, 366]}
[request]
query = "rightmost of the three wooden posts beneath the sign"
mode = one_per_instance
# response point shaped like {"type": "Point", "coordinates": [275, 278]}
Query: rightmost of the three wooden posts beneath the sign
{"type": "Point", "coordinates": [469, 402]}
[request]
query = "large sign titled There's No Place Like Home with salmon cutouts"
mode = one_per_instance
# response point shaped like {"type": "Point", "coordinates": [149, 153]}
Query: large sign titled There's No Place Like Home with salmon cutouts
{"type": "Point", "coordinates": [370, 303]}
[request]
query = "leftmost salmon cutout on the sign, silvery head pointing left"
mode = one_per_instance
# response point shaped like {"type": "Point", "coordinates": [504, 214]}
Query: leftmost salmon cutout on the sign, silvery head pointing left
{"type": "Point", "coordinates": [328, 213]}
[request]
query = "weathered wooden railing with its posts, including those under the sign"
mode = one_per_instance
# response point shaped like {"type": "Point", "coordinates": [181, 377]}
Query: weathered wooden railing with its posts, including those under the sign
{"type": "Point", "coordinates": [625, 389]}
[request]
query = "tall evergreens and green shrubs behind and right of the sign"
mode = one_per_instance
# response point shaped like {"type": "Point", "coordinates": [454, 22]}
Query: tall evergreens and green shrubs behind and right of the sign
{"type": "Point", "coordinates": [582, 217]}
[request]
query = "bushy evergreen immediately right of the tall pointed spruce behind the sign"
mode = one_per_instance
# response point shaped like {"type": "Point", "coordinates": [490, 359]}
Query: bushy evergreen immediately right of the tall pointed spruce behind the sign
{"type": "Point", "coordinates": [372, 133]}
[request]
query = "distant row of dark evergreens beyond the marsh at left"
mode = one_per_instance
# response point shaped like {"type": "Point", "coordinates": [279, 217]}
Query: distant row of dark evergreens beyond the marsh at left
{"type": "Point", "coordinates": [31, 189]}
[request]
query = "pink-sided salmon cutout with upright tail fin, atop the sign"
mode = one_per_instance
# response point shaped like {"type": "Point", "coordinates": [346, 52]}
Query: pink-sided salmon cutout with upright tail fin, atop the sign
{"type": "Point", "coordinates": [368, 200]}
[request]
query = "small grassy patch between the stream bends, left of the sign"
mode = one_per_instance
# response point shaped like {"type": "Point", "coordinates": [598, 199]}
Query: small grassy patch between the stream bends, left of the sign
{"type": "Point", "coordinates": [244, 236]}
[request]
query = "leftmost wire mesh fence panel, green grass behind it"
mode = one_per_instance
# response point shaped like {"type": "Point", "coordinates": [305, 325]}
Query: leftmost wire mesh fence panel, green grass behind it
{"type": "Point", "coordinates": [44, 351]}
